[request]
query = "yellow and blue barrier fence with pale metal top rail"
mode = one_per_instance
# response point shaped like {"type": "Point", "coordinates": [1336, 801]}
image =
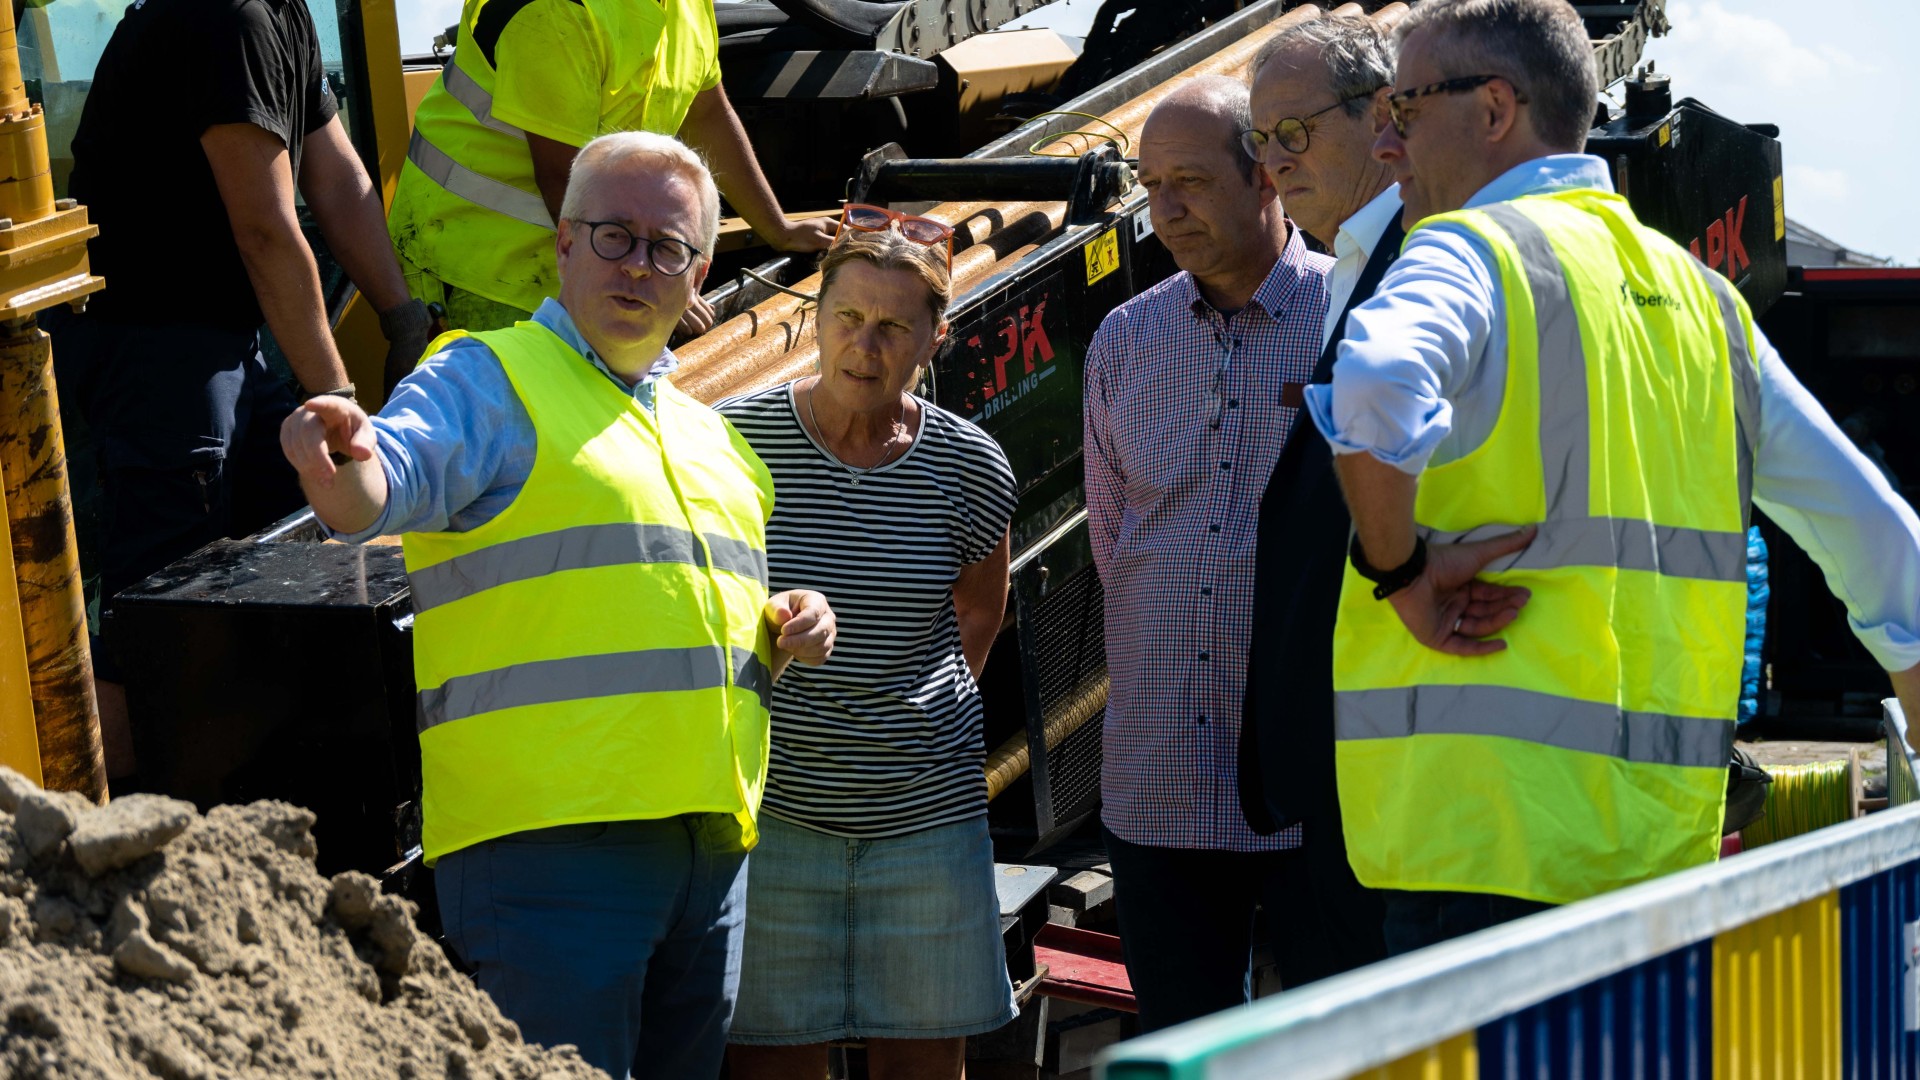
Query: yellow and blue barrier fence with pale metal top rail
{"type": "Point", "coordinates": [1792, 962]}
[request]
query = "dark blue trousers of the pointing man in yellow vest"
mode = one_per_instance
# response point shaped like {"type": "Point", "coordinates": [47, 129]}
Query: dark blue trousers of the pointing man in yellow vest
{"type": "Point", "coordinates": [621, 939]}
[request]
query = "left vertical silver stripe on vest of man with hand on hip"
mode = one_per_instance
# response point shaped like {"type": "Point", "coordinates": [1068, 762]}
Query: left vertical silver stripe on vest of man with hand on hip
{"type": "Point", "coordinates": [1566, 443]}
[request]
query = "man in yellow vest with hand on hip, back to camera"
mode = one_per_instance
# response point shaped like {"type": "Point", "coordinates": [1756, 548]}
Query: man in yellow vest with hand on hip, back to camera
{"type": "Point", "coordinates": [1550, 424]}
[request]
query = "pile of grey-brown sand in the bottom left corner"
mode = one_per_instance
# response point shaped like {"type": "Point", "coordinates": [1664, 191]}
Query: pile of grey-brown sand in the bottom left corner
{"type": "Point", "coordinates": [143, 939]}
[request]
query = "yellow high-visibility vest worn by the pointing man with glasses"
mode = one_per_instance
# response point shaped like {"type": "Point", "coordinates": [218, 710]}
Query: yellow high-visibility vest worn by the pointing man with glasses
{"type": "Point", "coordinates": [598, 652]}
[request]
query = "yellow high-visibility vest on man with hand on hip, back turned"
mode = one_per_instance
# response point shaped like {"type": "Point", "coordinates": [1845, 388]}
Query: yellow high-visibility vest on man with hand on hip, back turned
{"type": "Point", "coordinates": [1593, 752]}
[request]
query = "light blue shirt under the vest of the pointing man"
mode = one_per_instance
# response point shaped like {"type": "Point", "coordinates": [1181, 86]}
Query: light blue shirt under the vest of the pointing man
{"type": "Point", "coordinates": [456, 441]}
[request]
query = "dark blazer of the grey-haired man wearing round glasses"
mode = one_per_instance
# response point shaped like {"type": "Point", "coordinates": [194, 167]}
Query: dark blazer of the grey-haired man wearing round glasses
{"type": "Point", "coordinates": [1287, 727]}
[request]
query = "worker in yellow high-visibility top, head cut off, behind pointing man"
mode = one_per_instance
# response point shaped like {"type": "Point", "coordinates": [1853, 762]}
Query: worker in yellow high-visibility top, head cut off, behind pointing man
{"type": "Point", "coordinates": [531, 82]}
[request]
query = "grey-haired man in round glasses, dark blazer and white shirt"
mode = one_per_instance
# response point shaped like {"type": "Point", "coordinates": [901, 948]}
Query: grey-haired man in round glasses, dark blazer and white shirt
{"type": "Point", "coordinates": [1320, 160]}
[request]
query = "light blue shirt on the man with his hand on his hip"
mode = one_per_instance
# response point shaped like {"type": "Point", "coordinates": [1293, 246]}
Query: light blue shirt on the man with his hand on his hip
{"type": "Point", "coordinates": [1426, 364]}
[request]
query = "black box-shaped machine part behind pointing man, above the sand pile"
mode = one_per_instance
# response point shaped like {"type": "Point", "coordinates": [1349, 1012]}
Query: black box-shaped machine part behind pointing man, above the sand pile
{"type": "Point", "coordinates": [281, 672]}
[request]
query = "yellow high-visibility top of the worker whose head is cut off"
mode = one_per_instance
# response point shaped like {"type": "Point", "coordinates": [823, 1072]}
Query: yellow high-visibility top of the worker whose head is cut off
{"type": "Point", "coordinates": [468, 209]}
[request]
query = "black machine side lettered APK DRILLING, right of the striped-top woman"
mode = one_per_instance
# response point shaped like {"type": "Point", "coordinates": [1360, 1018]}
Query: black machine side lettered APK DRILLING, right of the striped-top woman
{"type": "Point", "coordinates": [1015, 364]}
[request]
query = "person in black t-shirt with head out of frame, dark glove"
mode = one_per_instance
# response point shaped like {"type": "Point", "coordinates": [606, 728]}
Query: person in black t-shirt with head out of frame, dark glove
{"type": "Point", "coordinates": [203, 122]}
